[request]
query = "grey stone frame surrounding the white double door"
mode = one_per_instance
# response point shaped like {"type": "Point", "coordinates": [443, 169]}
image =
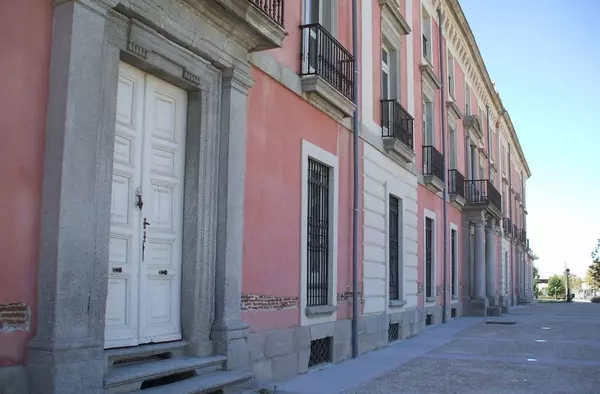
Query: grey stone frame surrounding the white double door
{"type": "Point", "coordinates": [90, 38]}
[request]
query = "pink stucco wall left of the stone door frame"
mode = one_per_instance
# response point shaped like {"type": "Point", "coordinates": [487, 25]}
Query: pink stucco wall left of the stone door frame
{"type": "Point", "coordinates": [24, 81]}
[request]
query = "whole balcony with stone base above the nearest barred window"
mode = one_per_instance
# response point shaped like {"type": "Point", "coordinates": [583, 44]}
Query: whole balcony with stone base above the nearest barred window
{"type": "Point", "coordinates": [327, 72]}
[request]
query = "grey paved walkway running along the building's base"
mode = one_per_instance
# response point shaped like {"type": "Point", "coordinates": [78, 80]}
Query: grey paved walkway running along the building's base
{"type": "Point", "coordinates": [552, 348]}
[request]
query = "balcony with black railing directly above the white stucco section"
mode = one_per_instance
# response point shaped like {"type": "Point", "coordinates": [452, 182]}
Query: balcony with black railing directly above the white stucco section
{"type": "Point", "coordinates": [397, 130]}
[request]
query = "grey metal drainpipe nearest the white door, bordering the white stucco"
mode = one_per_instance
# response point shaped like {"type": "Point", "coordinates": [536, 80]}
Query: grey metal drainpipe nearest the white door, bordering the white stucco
{"type": "Point", "coordinates": [355, 124]}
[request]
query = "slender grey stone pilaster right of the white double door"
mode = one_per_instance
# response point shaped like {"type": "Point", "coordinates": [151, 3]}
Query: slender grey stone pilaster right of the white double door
{"type": "Point", "coordinates": [229, 332]}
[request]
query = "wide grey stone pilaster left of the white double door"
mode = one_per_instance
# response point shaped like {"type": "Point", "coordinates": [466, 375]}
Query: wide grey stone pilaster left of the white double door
{"type": "Point", "coordinates": [66, 355]}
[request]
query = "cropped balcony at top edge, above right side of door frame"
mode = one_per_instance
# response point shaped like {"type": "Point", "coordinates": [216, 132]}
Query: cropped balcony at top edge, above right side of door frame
{"type": "Point", "coordinates": [260, 23]}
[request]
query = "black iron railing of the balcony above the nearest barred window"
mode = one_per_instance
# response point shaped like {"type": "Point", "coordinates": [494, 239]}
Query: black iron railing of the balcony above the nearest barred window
{"type": "Point", "coordinates": [324, 56]}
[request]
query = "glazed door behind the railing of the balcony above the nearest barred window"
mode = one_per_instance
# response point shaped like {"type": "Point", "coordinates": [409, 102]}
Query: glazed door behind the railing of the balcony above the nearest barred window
{"type": "Point", "coordinates": [322, 12]}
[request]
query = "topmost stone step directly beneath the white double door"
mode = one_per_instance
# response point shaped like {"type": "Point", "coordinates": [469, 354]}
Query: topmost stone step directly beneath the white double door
{"type": "Point", "coordinates": [142, 352]}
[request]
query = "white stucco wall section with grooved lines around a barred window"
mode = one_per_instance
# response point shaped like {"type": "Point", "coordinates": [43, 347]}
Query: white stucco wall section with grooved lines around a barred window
{"type": "Point", "coordinates": [383, 176]}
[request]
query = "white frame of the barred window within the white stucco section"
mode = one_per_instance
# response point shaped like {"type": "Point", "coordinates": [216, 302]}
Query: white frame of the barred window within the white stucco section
{"type": "Point", "coordinates": [394, 189]}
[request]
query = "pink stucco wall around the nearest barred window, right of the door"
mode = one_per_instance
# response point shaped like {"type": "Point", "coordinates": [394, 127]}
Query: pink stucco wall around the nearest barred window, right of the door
{"type": "Point", "coordinates": [272, 221]}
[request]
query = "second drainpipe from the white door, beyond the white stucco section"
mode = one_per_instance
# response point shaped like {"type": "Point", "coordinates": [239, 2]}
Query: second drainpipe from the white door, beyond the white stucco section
{"type": "Point", "coordinates": [445, 172]}
